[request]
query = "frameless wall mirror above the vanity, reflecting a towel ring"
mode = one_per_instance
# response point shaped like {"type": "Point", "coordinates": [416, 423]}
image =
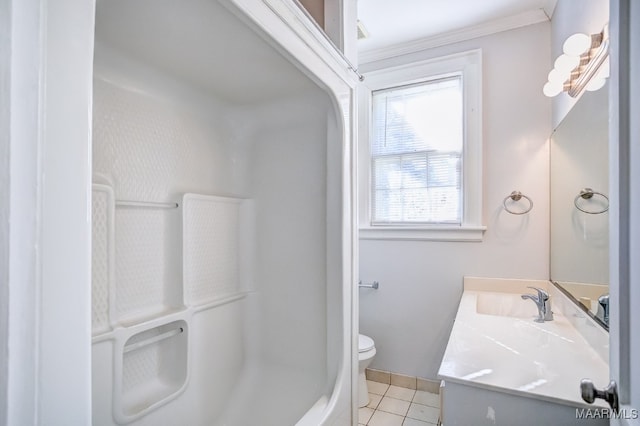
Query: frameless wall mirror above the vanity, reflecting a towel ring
{"type": "Point", "coordinates": [579, 178]}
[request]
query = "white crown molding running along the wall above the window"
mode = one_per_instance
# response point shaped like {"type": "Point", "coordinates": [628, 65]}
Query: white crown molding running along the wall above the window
{"type": "Point", "coordinates": [492, 27]}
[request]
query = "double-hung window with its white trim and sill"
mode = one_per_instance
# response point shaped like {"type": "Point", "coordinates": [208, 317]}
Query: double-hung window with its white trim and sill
{"type": "Point", "coordinates": [420, 151]}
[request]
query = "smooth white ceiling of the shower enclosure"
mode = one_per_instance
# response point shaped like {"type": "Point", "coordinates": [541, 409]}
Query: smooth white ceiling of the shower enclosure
{"type": "Point", "coordinates": [202, 43]}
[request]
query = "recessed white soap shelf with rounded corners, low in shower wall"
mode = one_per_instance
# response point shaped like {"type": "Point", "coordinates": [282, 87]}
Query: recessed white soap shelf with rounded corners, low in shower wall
{"type": "Point", "coordinates": [151, 368]}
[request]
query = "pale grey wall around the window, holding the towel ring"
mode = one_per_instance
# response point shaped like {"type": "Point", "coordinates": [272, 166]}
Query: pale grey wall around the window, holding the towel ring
{"type": "Point", "coordinates": [410, 316]}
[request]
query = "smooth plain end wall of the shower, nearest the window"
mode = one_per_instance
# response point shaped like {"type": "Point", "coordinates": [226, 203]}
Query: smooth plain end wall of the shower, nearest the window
{"type": "Point", "coordinates": [289, 186]}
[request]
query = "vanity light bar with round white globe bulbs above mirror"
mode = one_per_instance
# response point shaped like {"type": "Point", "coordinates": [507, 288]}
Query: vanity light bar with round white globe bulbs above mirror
{"type": "Point", "coordinates": [583, 65]}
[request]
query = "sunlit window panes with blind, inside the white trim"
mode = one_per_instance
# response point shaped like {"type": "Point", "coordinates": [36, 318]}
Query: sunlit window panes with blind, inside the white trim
{"type": "Point", "coordinates": [416, 153]}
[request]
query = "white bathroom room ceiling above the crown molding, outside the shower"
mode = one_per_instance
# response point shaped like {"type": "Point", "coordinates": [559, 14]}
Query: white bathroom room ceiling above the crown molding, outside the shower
{"type": "Point", "coordinates": [395, 22]}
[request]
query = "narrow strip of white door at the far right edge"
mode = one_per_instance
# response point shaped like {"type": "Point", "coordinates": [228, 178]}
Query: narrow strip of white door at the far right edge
{"type": "Point", "coordinates": [624, 136]}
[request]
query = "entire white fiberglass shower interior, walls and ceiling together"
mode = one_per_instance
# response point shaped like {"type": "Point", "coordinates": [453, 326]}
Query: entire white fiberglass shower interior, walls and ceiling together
{"type": "Point", "coordinates": [216, 223]}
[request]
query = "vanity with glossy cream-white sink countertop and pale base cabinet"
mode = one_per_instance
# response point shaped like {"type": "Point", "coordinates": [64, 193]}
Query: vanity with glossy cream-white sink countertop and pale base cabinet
{"type": "Point", "coordinates": [505, 368]}
